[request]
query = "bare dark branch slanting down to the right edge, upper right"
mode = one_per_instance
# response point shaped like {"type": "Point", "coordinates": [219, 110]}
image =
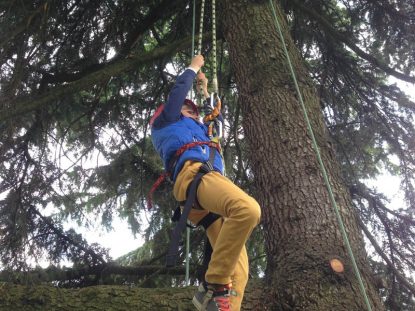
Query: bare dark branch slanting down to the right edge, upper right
{"type": "Point", "coordinates": [338, 36]}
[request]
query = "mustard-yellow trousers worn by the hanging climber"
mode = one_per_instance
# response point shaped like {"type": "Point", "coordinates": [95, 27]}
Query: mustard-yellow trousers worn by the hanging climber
{"type": "Point", "coordinates": [240, 212]}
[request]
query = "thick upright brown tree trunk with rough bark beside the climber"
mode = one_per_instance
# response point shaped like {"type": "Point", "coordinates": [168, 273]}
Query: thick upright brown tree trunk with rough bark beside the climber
{"type": "Point", "coordinates": [301, 230]}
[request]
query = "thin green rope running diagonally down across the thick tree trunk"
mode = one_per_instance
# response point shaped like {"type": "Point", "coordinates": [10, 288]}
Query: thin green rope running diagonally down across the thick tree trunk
{"type": "Point", "coordinates": [321, 164]}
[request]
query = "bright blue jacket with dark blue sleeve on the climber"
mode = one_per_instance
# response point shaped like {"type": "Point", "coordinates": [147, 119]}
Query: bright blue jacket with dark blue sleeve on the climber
{"type": "Point", "coordinates": [171, 129]}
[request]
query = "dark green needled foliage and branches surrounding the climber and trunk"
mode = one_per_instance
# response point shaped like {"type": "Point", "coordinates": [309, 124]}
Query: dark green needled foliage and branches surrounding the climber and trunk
{"type": "Point", "coordinates": [80, 79]}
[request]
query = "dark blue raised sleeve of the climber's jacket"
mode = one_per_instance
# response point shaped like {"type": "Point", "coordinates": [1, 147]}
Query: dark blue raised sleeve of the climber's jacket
{"type": "Point", "coordinates": [172, 109]}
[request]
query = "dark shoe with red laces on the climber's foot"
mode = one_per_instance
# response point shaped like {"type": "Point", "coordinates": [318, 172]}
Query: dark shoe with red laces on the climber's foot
{"type": "Point", "coordinates": [212, 297]}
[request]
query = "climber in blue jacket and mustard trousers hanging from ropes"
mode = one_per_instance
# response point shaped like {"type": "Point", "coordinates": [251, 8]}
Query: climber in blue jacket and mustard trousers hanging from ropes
{"type": "Point", "coordinates": [175, 125]}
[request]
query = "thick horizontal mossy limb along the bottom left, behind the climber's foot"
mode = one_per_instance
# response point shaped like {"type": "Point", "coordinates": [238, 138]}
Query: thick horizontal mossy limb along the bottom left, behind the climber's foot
{"type": "Point", "coordinates": [104, 298]}
